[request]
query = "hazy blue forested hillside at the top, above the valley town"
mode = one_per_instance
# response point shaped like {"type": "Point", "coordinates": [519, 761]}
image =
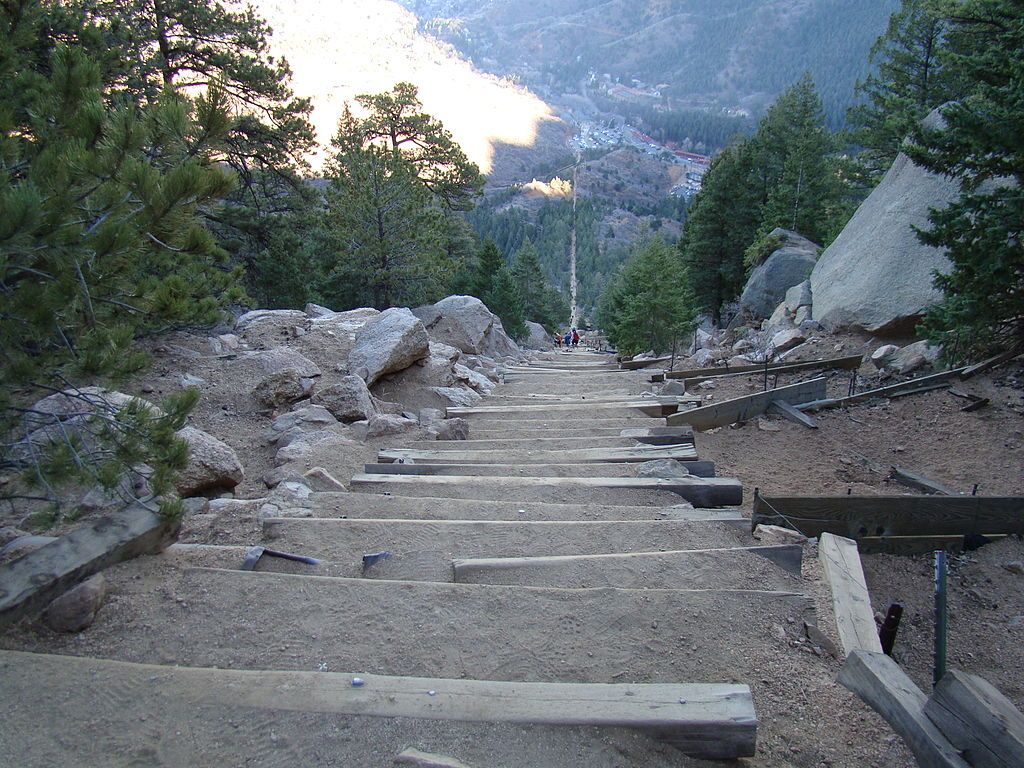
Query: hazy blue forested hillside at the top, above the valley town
{"type": "Point", "coordinates": [736, 54]}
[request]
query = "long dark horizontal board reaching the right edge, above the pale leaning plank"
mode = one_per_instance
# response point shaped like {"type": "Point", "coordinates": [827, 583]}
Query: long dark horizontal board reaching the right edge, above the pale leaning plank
{"type": "Point", "coordinates": [859, 517]}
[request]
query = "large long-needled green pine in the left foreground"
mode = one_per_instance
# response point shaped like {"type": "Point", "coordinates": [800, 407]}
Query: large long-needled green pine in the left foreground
{"type": "Point", "coordinates": [100, 242]}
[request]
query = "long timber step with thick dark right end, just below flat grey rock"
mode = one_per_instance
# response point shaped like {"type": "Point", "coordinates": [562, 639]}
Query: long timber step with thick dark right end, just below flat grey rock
{"type": "Point", "coordinates": [701, 492]}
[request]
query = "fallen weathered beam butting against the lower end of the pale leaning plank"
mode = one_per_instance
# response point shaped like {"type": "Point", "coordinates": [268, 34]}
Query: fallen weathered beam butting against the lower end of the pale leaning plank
{"type": "Point", "coordinates": [888, 691]}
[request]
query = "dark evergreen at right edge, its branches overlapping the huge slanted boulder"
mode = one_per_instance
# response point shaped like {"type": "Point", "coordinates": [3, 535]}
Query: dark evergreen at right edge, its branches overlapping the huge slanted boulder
{"type": "Point", "coordinates": [983, 147]}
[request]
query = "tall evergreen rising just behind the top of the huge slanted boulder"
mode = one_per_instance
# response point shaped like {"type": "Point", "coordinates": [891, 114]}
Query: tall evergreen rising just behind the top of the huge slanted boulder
{"type": "Point", "coordinates": [910, 80]}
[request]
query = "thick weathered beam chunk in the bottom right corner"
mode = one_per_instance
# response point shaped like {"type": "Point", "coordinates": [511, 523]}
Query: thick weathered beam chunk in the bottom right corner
{"type": "Point", "coordinates": [978, 720]}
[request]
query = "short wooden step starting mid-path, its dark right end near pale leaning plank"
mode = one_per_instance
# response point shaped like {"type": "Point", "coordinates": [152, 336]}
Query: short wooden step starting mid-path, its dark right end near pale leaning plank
{"type": "Point", "coordinates": [752, 568]}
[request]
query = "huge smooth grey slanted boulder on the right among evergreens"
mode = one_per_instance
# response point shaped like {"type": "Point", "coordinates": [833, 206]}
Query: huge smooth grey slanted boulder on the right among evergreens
{"type": "Point", "coordinates": [878, 276]}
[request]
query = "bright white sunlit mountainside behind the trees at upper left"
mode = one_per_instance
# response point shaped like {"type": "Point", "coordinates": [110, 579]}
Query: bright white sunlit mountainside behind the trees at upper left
{"type": "Point", "coordinates": [342, 49]}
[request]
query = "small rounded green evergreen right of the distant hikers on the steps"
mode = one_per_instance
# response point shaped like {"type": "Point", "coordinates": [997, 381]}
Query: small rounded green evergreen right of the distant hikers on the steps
{"type": "Point", "coordinates": [651, 303]}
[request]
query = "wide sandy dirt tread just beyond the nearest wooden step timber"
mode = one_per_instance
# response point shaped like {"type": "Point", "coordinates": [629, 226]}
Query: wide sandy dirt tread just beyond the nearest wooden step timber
{"type": "Point", "coordinates": [240, 620]}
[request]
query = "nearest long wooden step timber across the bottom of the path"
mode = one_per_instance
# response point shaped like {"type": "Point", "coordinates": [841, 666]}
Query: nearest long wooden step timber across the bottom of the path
{"type": "Point", "coordinates": [702, 720]}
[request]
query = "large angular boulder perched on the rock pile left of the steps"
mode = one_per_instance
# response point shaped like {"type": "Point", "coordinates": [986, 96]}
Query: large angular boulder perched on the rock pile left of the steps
{"type": "Point", "coordinates": [389, 344]}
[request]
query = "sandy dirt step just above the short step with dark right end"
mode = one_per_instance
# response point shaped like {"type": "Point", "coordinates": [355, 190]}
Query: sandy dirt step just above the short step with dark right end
{"type": "Point", "coordinates": [424, 550]}
